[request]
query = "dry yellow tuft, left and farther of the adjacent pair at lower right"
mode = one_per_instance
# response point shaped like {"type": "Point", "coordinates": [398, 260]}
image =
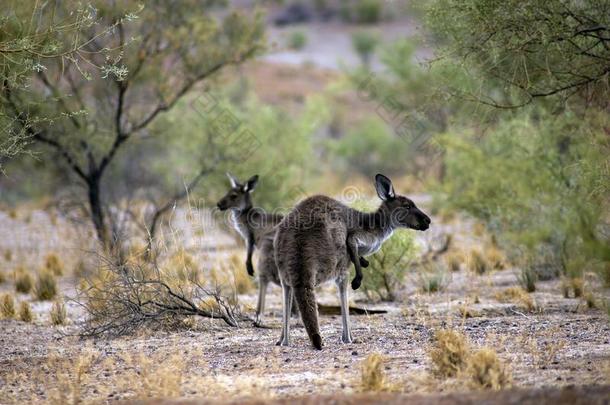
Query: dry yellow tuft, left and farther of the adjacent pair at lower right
{"type": "Point", "coordinates": [449, 352]}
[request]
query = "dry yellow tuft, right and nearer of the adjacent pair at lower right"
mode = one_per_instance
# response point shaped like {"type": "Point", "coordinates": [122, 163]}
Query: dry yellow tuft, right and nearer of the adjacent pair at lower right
{"type": "Point", "coordinates": [485, 370]}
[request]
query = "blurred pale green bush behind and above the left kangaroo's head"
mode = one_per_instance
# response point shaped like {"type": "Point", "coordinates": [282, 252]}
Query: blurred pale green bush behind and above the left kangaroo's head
{"type": "Point", "coordinates": [267, 141]}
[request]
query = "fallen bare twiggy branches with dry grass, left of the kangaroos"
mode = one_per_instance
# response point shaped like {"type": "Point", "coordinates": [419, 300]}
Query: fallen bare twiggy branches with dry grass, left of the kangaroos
{"type": "Point", "coordinates": [122, 298]}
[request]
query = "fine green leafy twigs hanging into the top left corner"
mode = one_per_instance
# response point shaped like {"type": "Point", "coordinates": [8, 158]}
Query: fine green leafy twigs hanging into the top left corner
{"type": "Point", "coordinates": [30, 38]}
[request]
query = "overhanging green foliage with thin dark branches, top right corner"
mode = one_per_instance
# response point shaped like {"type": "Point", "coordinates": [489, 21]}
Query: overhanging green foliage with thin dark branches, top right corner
{"type": "Point", "coordinates": [532, 49]}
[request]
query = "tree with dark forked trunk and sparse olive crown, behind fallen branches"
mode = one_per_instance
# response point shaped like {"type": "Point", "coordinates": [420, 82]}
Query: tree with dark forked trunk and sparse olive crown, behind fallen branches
{"type": "Point", "coordinates": [169, 49]}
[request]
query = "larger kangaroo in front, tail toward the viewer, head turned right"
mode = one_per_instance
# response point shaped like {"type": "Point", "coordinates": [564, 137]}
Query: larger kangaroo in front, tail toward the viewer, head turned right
{"type": "Point", "coordinates": [318, 239]}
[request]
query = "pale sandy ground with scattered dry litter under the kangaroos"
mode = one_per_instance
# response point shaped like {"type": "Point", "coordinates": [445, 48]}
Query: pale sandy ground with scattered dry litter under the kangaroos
{"type": "Point", "coordinates": [562, 342]}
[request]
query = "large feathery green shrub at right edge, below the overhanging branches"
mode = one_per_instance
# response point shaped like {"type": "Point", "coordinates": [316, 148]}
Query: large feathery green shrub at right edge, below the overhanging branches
{"type": "Point", "coordinates": [539, 181]}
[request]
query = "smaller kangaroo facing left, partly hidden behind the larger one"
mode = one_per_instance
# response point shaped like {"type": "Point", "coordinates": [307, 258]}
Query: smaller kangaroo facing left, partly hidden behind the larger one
{"type": "Point", "coordinates": [257, 228]}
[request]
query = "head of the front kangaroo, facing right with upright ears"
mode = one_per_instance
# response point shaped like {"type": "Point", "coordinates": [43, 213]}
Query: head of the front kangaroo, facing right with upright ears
{"type": "Point", "coordinates": [403, 213]}
